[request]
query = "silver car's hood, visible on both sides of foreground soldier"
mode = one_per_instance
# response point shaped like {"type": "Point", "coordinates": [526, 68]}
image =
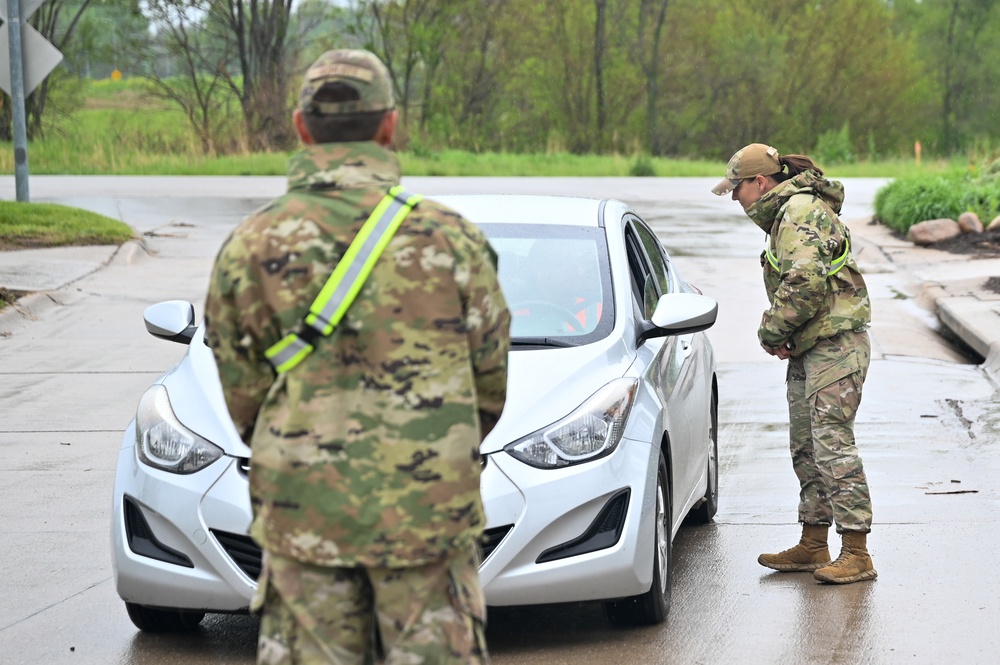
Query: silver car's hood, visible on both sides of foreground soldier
{"type": "Point", "coordinates": [543, 385]}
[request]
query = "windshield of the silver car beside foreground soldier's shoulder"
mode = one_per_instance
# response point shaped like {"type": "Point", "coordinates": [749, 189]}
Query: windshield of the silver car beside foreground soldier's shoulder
{"type": "Point", "coordinates": [557, 283]}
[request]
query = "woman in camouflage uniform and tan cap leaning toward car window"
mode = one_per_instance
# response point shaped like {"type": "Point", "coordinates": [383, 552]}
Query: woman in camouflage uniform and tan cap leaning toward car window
{"type": "Point", "coordinates": [818, 321]}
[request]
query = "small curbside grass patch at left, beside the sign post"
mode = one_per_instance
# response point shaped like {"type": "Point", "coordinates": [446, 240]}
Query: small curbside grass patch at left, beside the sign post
{"type": "Point", "coordinates": [34, 225]}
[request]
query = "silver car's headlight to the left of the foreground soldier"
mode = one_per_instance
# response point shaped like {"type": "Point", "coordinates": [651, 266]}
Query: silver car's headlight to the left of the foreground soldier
{"type": "Point", "coordinates": [163, 442]}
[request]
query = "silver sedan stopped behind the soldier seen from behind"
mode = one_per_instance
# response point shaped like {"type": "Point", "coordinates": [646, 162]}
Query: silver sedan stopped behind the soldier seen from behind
{"type": "Point", "coordinates": [608, 440]}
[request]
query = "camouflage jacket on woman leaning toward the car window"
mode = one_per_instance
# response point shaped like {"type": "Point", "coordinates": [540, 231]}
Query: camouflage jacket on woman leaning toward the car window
{"type": "Point", "coordinates": [805, 236]}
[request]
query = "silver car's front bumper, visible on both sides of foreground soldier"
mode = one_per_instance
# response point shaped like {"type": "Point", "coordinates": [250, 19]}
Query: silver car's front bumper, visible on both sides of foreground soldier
{"type": "Point", "coordinates": [539, 527]}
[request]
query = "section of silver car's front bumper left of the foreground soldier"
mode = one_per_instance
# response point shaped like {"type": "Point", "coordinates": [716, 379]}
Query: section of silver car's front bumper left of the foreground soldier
{"type": "Point", "coordinates": [196, 554]}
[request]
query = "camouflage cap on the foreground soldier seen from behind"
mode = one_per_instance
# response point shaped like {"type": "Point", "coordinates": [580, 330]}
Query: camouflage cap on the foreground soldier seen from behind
{"type": "Point", "coordinates": [359, 69]}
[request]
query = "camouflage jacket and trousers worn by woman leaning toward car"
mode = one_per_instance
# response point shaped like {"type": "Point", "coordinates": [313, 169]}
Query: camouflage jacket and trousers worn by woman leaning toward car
{"type": "Point", "coordinates": [823, 318]}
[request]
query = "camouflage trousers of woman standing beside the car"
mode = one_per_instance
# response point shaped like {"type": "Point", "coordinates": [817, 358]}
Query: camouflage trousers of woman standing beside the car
{"type": "Point", "coordinates": [824, 392]}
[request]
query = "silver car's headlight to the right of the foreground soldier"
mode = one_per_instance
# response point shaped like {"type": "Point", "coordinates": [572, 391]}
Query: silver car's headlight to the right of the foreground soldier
{"type": "Point", "coordinates": [592, 431]}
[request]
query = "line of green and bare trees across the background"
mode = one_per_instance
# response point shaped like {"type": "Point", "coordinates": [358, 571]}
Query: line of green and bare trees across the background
{"type": "Point", "coordinates": [839, 79]}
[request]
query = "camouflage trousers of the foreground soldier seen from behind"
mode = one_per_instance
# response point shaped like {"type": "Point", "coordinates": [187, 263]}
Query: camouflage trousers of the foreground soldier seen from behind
{"type": "Point", "coordinates": [427, 615]}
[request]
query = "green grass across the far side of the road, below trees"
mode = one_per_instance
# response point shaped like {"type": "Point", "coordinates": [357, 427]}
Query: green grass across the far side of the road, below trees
{"type": "Point", "coordinates": [121, 130]}
